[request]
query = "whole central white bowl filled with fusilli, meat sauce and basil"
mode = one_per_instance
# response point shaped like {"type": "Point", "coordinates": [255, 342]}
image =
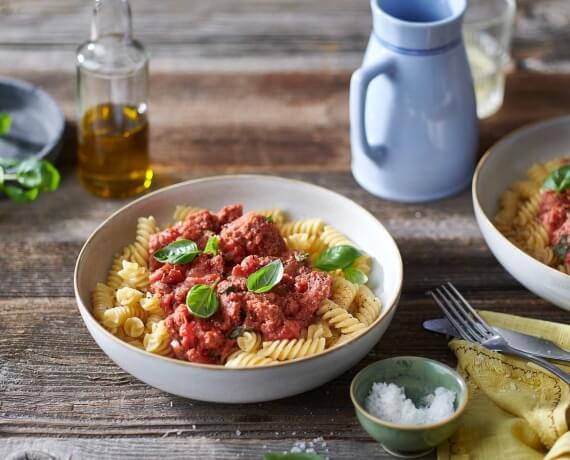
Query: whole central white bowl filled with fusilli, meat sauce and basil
{"type": "Point", "coordinates": [228, 305]}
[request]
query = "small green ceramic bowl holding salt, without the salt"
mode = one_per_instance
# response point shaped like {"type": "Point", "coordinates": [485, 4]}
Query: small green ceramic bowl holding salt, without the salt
{"type": "Point", "coordinates": [419, 377]}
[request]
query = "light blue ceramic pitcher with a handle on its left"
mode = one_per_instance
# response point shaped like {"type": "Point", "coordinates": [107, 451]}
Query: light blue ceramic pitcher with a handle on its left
{"type": "Point", "coordinates": [413, 120]}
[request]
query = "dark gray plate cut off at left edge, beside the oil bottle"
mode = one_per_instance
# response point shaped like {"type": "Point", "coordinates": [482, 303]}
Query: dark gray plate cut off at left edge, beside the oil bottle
{"type": "Point", "coordinates": [37, 121]}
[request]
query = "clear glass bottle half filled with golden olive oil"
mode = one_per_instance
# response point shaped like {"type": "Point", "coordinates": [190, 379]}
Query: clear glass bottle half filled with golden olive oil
{"type": "Point", "coordinates": [113, 131]}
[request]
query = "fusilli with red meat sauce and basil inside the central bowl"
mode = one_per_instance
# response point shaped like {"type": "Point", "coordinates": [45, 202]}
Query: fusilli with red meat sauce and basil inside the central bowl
{"type": "Point", "coordinates": [235, 288]}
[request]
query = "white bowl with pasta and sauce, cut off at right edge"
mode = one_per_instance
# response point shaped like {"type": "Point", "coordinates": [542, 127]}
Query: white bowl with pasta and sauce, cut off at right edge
{"type": "Point", "coordinates": [521, 199]}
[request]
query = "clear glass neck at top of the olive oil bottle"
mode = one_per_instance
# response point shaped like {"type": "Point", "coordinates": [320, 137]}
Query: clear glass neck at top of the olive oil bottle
{"type": "Point", "coordinates": [111, 18]}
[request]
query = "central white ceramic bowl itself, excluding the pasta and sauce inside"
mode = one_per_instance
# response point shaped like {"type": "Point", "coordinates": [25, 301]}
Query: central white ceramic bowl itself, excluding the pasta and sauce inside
{"type": "Point", "coordinates": [216, 383]}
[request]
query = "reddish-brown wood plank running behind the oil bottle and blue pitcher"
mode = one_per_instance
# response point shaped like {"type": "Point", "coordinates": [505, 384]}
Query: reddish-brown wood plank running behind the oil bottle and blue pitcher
{"type": "Point", "coordinates": [278, 123]}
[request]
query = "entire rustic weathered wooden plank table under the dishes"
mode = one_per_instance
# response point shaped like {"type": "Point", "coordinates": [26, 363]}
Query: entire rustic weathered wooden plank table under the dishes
{"type": "Point", "coordinates": [270, 96]}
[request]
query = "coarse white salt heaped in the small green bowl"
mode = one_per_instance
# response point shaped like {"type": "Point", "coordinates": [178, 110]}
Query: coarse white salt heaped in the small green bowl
{"type": "Point", "coordinates": [388, 402]}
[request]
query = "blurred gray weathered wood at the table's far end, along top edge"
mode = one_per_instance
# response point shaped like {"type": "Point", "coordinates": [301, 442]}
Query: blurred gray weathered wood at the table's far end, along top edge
{"type": "Point", "coordinates": [250, 35]}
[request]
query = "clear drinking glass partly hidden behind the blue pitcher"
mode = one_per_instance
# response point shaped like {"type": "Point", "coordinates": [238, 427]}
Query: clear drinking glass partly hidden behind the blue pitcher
{"type": "Point", "coordinates": [487, 30]}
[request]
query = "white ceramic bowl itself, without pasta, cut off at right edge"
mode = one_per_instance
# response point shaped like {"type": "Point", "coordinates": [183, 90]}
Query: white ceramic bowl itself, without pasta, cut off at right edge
{"type": "Point", "coordinates": [505, 162]}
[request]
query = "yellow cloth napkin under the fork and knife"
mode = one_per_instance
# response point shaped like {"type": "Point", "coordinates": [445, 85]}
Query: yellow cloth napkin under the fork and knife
{"type": "Point", "coordinates": [515, 410]}
